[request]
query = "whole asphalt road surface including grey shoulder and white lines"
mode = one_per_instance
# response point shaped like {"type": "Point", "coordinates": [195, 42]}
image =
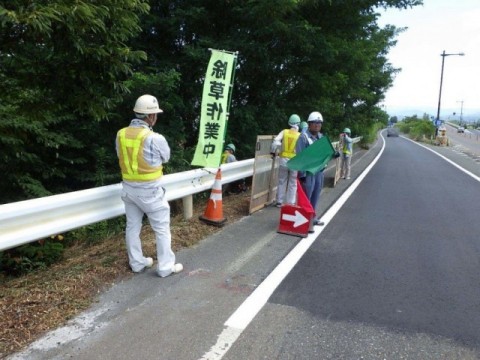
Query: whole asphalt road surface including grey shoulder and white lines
{"type": "Point", "coordinates": [394, 274]}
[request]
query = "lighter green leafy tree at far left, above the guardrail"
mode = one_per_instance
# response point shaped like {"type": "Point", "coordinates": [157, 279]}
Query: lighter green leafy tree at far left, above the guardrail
{"type": "Point", "coordinates": [62, 69]}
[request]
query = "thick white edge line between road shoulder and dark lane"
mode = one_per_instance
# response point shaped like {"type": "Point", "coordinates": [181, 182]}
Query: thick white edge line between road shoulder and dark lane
{"type": "Point", "coordinates": [247, 311]}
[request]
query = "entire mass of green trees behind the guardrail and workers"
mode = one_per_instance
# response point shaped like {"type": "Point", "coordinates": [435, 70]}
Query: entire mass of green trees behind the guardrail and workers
{"type": "Point", "coordinates": [70, 73]}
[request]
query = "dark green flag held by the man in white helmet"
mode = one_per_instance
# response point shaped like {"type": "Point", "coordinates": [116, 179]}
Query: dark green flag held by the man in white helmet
{"type": "Point", "coordinates": [313, 158]}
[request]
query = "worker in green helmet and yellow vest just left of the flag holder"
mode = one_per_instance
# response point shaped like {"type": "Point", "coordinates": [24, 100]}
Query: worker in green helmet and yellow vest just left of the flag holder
{"type": "Point", "coordinates": [284, 145]}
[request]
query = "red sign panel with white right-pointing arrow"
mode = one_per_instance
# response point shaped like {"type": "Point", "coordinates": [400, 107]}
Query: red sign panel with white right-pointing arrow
{"type": "Point", "coordinates": [295, 220]}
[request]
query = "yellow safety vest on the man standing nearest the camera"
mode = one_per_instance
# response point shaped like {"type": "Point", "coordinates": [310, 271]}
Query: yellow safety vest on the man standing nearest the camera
{"type": "Point", "coordinates": [133, 165]}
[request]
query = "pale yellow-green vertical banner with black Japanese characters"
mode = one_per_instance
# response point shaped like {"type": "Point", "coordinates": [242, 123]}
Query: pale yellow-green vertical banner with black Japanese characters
{"type": "Point", "coordinates": [215, 109]}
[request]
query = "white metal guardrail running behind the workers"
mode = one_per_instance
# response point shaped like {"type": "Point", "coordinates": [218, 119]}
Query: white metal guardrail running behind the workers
{"type": "Point", "coordinates": [30, 220]}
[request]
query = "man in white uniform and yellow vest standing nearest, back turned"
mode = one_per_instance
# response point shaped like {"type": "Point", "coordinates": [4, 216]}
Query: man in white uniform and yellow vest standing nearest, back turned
{"type": "Point", "coordinates": [142, 153]}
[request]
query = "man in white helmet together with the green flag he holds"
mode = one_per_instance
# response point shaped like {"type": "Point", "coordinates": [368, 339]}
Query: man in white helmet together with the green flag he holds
{"type": "Point", "coordinates": [314, 151]}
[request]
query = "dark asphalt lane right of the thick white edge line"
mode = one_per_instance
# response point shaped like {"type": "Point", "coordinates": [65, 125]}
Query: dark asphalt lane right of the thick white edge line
{"type": "Point", "coordinates": [395, 275]}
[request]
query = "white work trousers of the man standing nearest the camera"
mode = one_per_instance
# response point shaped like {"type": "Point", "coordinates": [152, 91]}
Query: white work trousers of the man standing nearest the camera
{"type": "Point", "coordinates": [156, 207]}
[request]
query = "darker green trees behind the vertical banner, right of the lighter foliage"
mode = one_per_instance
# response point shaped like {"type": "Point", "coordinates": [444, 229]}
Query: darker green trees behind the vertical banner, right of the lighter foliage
{"type": "Point", "coordinates": [294, 57]}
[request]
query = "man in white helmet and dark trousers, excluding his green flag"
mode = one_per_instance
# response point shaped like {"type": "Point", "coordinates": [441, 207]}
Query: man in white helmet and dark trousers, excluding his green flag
{"type": "Point", "coordinates": [311, 184]}
